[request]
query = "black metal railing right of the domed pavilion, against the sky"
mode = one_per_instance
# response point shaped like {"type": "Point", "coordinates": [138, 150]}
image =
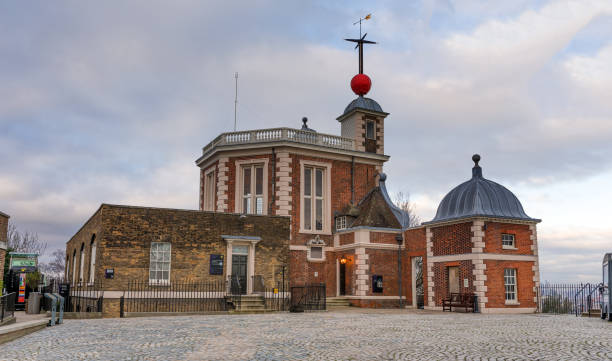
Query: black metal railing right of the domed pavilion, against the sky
{"type": "Point", "coordinates": [568, 298]}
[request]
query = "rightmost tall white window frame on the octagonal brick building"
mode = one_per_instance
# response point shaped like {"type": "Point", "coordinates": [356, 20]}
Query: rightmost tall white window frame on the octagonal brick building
{"type": "Point", "coordinates": [327, 219]}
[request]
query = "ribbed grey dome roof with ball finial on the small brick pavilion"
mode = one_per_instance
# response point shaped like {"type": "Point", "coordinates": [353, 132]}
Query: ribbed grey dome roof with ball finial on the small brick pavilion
{"type": "Point", "coordinates": [480, 197]}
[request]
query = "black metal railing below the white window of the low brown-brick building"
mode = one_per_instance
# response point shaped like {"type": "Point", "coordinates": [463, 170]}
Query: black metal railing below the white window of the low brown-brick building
{"type": "Point", "coordinates": [174, 297]}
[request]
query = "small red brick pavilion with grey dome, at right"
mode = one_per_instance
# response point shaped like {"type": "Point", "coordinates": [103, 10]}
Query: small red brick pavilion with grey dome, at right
{"type": "Point", "coordinates": [481, 241]}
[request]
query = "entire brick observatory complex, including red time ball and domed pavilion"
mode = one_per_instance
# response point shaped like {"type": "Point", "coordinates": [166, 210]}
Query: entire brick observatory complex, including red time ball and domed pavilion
{"type": "Point", "coordinates": [325, 197]}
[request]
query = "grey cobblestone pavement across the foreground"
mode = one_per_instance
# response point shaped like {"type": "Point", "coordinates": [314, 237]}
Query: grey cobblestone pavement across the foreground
{"type": "Point", "coordinates": [356, 335]}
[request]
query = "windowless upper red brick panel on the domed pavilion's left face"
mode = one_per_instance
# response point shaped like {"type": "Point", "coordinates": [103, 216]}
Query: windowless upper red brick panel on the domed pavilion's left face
{"type": "Point", "coordinates": [452, 239]}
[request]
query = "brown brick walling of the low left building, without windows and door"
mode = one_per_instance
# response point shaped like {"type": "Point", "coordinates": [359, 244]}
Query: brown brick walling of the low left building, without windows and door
{"type": "Point", "coordinates": [124, 235]}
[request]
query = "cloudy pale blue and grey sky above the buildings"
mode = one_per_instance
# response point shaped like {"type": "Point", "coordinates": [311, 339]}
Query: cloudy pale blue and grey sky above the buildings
{"type": "Point", "coordinates": [112, 102]}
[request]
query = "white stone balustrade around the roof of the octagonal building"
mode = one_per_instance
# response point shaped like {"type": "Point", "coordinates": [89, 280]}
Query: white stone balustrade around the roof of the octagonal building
{"type": "Point", "coordinates": [280, 134]}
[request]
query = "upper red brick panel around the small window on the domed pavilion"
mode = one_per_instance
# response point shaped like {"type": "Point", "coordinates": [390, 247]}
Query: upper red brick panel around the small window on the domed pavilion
{"type": "Point", "coordinates": [493, 235]}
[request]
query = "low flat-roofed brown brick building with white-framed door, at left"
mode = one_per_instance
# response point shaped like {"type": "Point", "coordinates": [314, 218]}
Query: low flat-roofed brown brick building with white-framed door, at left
{"type": "Point", "coordinates": [119, 244]}
